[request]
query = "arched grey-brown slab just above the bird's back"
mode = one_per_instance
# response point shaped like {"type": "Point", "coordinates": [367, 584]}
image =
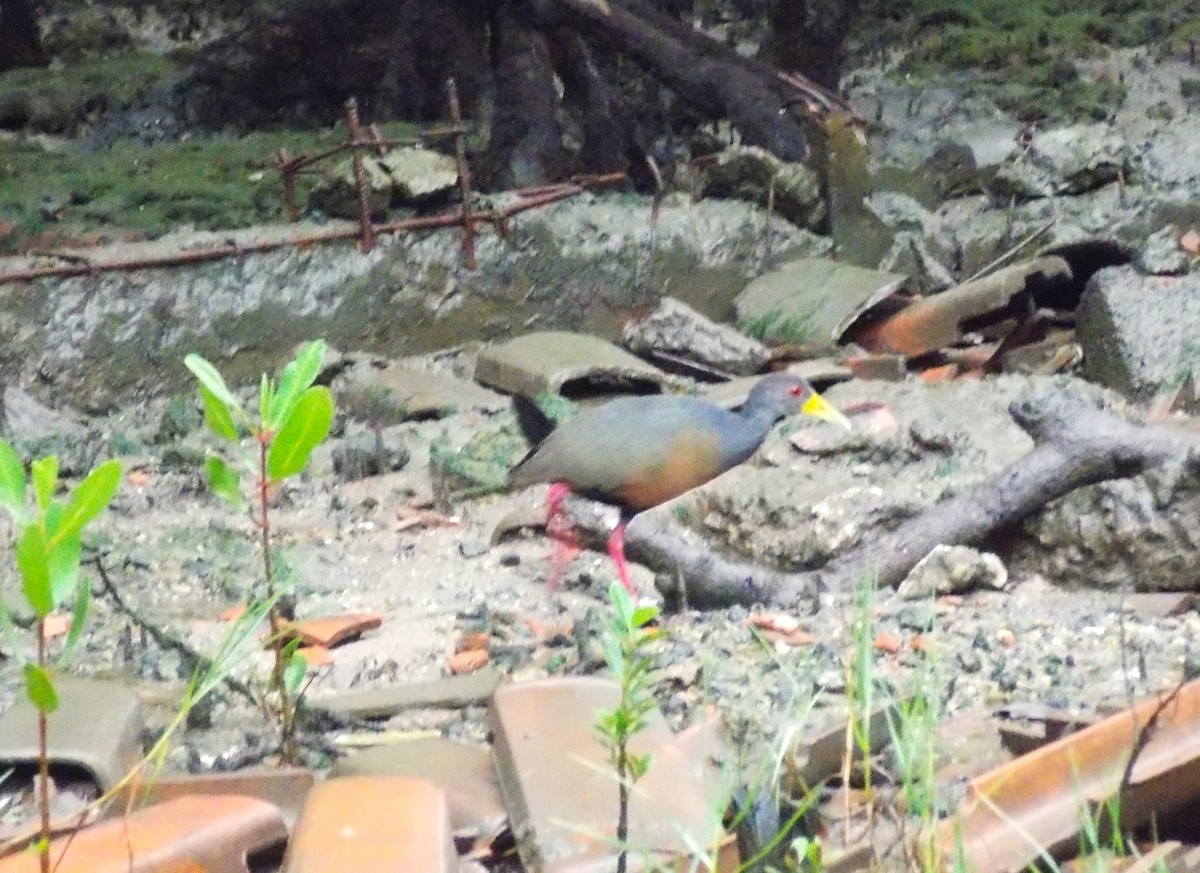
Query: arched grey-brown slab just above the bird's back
{"type": "Point", "coordinates": [566, 364]}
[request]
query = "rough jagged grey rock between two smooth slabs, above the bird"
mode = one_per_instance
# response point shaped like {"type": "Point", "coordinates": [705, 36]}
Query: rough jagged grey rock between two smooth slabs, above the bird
{"type": "Point", "coordinates": [679, 330]}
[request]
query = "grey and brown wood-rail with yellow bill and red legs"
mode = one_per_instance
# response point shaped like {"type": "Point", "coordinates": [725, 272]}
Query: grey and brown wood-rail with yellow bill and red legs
{"type": "Point", "coordinates": [638, 453]}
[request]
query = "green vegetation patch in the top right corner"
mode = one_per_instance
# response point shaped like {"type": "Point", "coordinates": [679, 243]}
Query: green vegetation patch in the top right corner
{"type": "Point", "coordinates": [1024, 55]}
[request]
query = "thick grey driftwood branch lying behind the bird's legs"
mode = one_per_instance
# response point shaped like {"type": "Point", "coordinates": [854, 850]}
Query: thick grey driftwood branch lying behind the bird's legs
{"type": "Point", "coordinates": [1076, 444]}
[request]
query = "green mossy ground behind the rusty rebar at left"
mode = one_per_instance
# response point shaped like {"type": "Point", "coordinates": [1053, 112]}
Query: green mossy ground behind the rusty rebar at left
{"type": "Point", "coordinates": [217, 183]}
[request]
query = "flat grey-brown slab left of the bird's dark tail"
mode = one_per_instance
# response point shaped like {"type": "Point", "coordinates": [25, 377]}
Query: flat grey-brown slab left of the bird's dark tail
{"type": "Point", "coordinates": [383, 393]}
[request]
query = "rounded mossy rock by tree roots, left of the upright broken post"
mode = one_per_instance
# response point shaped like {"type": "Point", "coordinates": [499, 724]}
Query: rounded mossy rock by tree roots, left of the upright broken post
{"type": "Point", "coordinates": [747, 173]}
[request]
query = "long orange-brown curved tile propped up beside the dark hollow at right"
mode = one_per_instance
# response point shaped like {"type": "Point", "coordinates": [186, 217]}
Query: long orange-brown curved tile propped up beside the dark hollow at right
{"type": "Point", "coordinates": [938, 322]}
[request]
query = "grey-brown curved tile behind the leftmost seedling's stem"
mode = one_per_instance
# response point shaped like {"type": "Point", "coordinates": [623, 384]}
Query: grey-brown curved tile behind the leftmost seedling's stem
{"type": "Point", "coordinates": [94, 731]}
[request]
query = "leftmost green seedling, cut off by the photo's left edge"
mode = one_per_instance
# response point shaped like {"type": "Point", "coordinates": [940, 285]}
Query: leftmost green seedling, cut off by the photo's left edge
{"type": "Point", "coordinates": [50, 544]}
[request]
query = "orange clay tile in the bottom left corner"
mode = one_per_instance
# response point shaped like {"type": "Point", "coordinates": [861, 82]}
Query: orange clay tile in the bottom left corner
{"type": "Point", "coordinates": [213, 834]}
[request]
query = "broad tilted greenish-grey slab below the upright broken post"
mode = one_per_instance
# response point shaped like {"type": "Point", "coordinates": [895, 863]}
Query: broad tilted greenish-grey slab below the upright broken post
{"type": "Point", "coordinates": [812, 302]}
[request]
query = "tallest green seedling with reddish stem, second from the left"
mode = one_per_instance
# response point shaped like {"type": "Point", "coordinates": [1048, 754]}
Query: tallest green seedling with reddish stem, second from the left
{"type": "Point", "coordinates": [293, 419]}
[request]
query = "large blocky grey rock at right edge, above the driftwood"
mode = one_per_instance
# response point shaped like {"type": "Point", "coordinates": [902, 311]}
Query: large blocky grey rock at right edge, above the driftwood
{"type": "Point", "coordinates": [1141, 334]}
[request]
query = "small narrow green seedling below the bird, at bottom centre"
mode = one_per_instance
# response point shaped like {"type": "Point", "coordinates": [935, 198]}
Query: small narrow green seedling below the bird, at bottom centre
{"type": "Point", "coordinates": [626, 641]}
